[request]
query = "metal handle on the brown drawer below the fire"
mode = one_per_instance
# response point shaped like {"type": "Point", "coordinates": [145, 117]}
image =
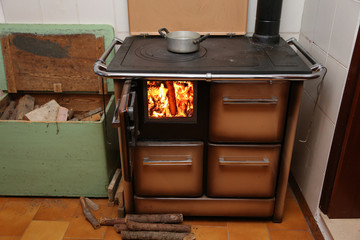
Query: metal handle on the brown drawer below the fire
{"type": "Point", "coordinates": [168, 160]}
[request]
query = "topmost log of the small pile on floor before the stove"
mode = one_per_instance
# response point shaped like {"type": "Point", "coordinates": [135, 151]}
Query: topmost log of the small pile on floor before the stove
{"type": "Point", "coordinates": [155, 218]}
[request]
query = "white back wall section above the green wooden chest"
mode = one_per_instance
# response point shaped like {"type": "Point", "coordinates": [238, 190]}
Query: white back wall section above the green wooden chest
{"type": "Point", "coordinates": [112, 12]}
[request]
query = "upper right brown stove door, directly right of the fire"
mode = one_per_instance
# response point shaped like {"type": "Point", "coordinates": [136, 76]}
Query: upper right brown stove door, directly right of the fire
{"type": "Point", "coordinates": [248, 112]}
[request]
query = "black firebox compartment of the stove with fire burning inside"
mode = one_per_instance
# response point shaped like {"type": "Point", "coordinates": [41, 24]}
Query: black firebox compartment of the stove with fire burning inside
{"type": "Point", "coordinates": [172, 109]}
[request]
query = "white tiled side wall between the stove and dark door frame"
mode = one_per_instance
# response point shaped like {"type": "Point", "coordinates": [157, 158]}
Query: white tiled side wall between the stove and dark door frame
{"type": "Point", "coordinates": [328, 32]}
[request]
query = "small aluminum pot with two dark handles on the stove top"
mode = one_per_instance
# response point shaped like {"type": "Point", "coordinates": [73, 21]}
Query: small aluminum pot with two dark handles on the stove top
{"type": "Point", "coordinates": [182, 41]}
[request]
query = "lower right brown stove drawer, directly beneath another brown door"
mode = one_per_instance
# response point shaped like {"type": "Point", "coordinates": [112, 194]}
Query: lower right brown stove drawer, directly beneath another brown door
{"type": "Point", "coordinates": [242, 170]}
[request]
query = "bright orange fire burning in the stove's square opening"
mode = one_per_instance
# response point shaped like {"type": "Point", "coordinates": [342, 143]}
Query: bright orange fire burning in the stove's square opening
{"type": "Point", "coordinates": [169, 99]}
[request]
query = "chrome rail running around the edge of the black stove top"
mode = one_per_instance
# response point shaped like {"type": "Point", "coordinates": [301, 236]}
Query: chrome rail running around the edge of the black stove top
{"type": "Point", "coordinates": [318, 70]}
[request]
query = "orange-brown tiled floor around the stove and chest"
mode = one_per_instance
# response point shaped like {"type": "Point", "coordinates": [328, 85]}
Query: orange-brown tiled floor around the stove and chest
{"type": "Point", "coordinates": [62, 219]}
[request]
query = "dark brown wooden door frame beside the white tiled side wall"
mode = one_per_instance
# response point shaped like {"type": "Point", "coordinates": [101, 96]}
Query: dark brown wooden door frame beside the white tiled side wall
{"type": "Point", "coordinates": [347, 108]}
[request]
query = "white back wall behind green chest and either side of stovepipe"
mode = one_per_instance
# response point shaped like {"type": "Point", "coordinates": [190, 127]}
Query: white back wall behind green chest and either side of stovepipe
{"type": "Point", "coordinates": [114, 12]}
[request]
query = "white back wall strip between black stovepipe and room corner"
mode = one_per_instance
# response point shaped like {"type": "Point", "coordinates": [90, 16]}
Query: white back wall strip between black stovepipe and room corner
{"type": "Point", "coordinates": [291, 15]}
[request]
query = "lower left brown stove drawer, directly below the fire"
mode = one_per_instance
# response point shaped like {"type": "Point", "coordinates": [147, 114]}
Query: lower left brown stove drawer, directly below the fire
{"type": "Point", "coordinates": [168, 169]}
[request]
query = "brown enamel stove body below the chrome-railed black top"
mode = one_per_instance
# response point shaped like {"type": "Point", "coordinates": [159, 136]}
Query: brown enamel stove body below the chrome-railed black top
{"type": "Point", "coordinates": [232, 160]}
